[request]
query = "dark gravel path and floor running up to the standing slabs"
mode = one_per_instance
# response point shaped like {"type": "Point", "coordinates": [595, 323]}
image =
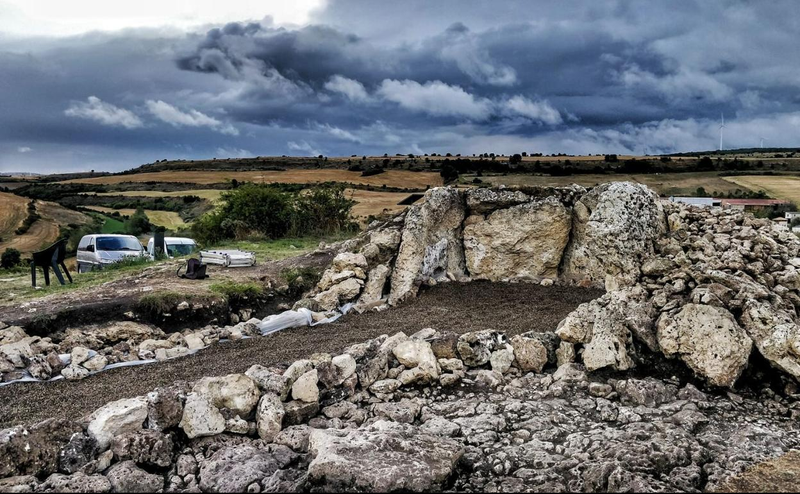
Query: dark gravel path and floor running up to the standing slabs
{"type": "Point", "coordinates": [512, 308]}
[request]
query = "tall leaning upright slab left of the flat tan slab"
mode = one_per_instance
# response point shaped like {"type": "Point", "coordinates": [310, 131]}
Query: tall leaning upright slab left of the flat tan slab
{"type": "Point", "coordinates": [431, 245]}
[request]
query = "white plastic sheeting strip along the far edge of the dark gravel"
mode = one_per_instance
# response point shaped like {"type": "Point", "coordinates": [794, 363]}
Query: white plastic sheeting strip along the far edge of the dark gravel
{"type": "Point", "coordinates": [270, 324]}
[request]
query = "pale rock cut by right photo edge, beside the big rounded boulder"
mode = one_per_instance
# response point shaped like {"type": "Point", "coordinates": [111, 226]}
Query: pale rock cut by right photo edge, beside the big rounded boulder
{"type": "Point", "coordinates": [775, 334]}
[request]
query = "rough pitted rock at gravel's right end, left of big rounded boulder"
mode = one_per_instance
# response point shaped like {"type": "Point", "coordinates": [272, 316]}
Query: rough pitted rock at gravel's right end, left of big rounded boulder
{"type": "Point", "coordinates": [605, 326]}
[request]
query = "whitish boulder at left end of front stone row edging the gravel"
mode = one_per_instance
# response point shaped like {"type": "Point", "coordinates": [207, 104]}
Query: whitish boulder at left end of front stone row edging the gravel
{"type": "Point", "coordinates": [116, 418]}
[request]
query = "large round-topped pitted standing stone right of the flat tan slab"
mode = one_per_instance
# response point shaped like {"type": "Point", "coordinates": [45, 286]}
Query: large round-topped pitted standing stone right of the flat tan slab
{"type": "Point", "coordinates": [614, 228]}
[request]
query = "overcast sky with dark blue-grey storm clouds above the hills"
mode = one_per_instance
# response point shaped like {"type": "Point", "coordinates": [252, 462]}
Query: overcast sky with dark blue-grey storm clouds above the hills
{"type": "Point", "coordinates": [96, 84]}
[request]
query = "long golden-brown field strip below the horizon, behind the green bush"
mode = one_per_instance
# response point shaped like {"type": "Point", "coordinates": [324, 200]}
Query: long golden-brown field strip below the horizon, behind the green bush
{"type": "Point", "coordinates": [391, 178]}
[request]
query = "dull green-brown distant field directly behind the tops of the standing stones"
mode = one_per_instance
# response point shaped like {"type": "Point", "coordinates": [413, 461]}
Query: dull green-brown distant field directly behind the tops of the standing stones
{"type": "Point", "coordinates": [666, 184]}
